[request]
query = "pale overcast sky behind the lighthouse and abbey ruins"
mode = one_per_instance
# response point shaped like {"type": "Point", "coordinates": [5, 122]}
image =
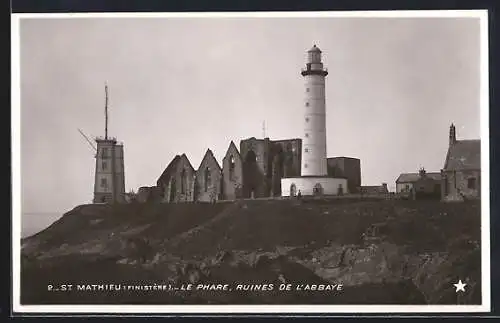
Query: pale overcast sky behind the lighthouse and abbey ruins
{"type": "Point", "coordinates": [180, 85]}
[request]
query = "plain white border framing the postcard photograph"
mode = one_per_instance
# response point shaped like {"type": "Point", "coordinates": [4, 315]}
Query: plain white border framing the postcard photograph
{"type": "Point", "coordinates": [228, 309]}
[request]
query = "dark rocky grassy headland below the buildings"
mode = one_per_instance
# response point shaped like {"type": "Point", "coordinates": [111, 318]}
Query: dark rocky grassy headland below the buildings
{"type": "Point", "coordinates": [382, 252]}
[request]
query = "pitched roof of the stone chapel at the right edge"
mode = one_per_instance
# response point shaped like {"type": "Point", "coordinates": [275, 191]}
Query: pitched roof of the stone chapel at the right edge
{"type": "Point", "coordinates": [464, 155]}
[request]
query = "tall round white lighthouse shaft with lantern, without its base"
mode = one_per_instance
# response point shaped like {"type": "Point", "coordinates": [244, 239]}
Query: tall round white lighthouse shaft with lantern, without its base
{"type": "Point", "coordinates": [314, 136]}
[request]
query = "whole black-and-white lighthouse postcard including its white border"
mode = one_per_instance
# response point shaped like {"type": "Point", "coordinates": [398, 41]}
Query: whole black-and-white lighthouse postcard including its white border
{"type": "Point", "coordinates": [251, 162]}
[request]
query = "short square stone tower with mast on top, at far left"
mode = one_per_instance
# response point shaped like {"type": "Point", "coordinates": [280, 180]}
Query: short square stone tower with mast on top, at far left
{"type": "Point", "coordinates": [109, 185]}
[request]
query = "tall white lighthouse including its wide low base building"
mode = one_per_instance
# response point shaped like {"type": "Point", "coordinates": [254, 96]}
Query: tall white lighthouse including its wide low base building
{"type": "Point", "coordinates": [314, 179]}
